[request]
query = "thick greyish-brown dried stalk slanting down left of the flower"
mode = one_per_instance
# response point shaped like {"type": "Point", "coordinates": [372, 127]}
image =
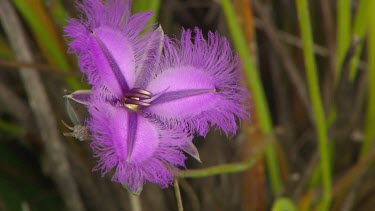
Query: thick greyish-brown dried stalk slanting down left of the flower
{"type": "Point", "coordinates": [57, 164]}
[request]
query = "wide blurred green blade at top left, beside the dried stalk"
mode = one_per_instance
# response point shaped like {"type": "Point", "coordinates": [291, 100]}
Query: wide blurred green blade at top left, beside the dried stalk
{"type": "Point", "coordinates": [46, 35]}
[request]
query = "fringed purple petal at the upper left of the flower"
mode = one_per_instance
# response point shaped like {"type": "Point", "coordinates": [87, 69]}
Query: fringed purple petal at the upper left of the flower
{"type": "Point", "coordinates": [109, 45]}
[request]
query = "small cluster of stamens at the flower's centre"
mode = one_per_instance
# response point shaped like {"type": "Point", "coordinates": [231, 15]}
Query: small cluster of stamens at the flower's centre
{"type": "Point", "coordinates": [135, 98]}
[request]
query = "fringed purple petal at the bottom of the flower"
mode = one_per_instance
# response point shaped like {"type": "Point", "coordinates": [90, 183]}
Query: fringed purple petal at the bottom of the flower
{"type": "Point", "coordinates": [155, 152]}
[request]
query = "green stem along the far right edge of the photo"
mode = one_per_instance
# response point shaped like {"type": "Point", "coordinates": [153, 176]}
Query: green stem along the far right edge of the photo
{"type": "Point", "coordinates": [369, 132]}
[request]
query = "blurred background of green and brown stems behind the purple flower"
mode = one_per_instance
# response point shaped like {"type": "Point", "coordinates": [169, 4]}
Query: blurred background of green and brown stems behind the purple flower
{"type": "Point", "coordinates": [310, 66]}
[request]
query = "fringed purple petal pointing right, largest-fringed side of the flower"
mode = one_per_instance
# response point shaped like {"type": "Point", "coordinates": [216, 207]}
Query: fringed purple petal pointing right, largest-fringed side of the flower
{"type": "Point", "coordinates": [198, 85]}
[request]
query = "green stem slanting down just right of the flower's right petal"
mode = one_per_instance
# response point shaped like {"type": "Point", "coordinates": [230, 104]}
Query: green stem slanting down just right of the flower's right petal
{"type": "Point", "coordinates": [255, 84]}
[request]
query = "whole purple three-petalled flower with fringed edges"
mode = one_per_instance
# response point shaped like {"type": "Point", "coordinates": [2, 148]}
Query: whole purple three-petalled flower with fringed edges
{"type": "Point", "coordinates": [151, 94]}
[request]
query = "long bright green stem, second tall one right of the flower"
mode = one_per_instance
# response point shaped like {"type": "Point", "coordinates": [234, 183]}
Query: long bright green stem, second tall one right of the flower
{"type": "Point", "coordinates": [313, 84]}
